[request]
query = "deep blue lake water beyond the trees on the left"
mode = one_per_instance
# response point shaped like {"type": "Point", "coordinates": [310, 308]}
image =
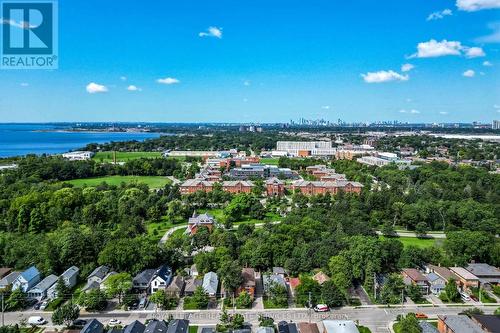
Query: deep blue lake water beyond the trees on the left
{"type": "Point", "coordinates": [22, 139]}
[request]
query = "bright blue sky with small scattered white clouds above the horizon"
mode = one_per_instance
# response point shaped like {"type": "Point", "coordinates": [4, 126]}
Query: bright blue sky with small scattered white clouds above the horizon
{"type": "Point", "coordinates": [265, 61]}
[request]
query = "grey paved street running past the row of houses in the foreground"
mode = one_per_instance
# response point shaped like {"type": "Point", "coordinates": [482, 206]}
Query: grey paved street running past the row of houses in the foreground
{"type": "Point", "coordinates": [377, 319]}
